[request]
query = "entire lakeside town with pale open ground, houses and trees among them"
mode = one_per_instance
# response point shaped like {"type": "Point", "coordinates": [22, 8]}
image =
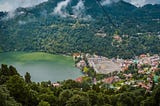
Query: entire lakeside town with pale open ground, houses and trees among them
{"type": "Point", "coordinates": [142, 71]}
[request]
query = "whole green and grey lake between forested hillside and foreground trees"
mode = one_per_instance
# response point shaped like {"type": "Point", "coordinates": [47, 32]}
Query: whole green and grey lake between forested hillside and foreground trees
{"type": "Point", "coordinates": [42, 66]}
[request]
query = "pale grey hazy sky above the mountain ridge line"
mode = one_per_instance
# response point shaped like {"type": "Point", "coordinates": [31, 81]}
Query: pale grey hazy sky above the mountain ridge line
{"type": "Point", "coordinates": [11, 5]}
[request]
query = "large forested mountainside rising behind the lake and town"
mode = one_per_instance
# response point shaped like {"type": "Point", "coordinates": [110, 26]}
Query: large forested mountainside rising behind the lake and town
{"type": "Point", "coordinates": [38, 29]}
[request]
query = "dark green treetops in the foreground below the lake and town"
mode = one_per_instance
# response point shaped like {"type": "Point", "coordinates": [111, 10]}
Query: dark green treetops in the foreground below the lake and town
{"type": "Point", "coordinates": [16, 90]}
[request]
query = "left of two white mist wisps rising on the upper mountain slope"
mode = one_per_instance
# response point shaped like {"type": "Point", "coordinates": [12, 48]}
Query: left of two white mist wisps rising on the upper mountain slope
{"type": "Point", "coordinates": [60, 9]}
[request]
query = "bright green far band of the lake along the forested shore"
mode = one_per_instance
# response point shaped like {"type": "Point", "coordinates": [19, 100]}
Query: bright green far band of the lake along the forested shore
{"type": "Point", "coordinates": [34, 56]}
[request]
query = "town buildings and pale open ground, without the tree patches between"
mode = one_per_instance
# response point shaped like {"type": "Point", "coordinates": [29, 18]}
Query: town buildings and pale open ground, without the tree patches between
{"type": "Point", "coordinates": [146, 65]}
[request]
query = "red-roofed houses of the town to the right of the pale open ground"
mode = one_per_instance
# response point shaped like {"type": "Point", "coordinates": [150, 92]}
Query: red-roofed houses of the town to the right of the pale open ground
{"type": "Point", "coordinates": [146, 66]}
